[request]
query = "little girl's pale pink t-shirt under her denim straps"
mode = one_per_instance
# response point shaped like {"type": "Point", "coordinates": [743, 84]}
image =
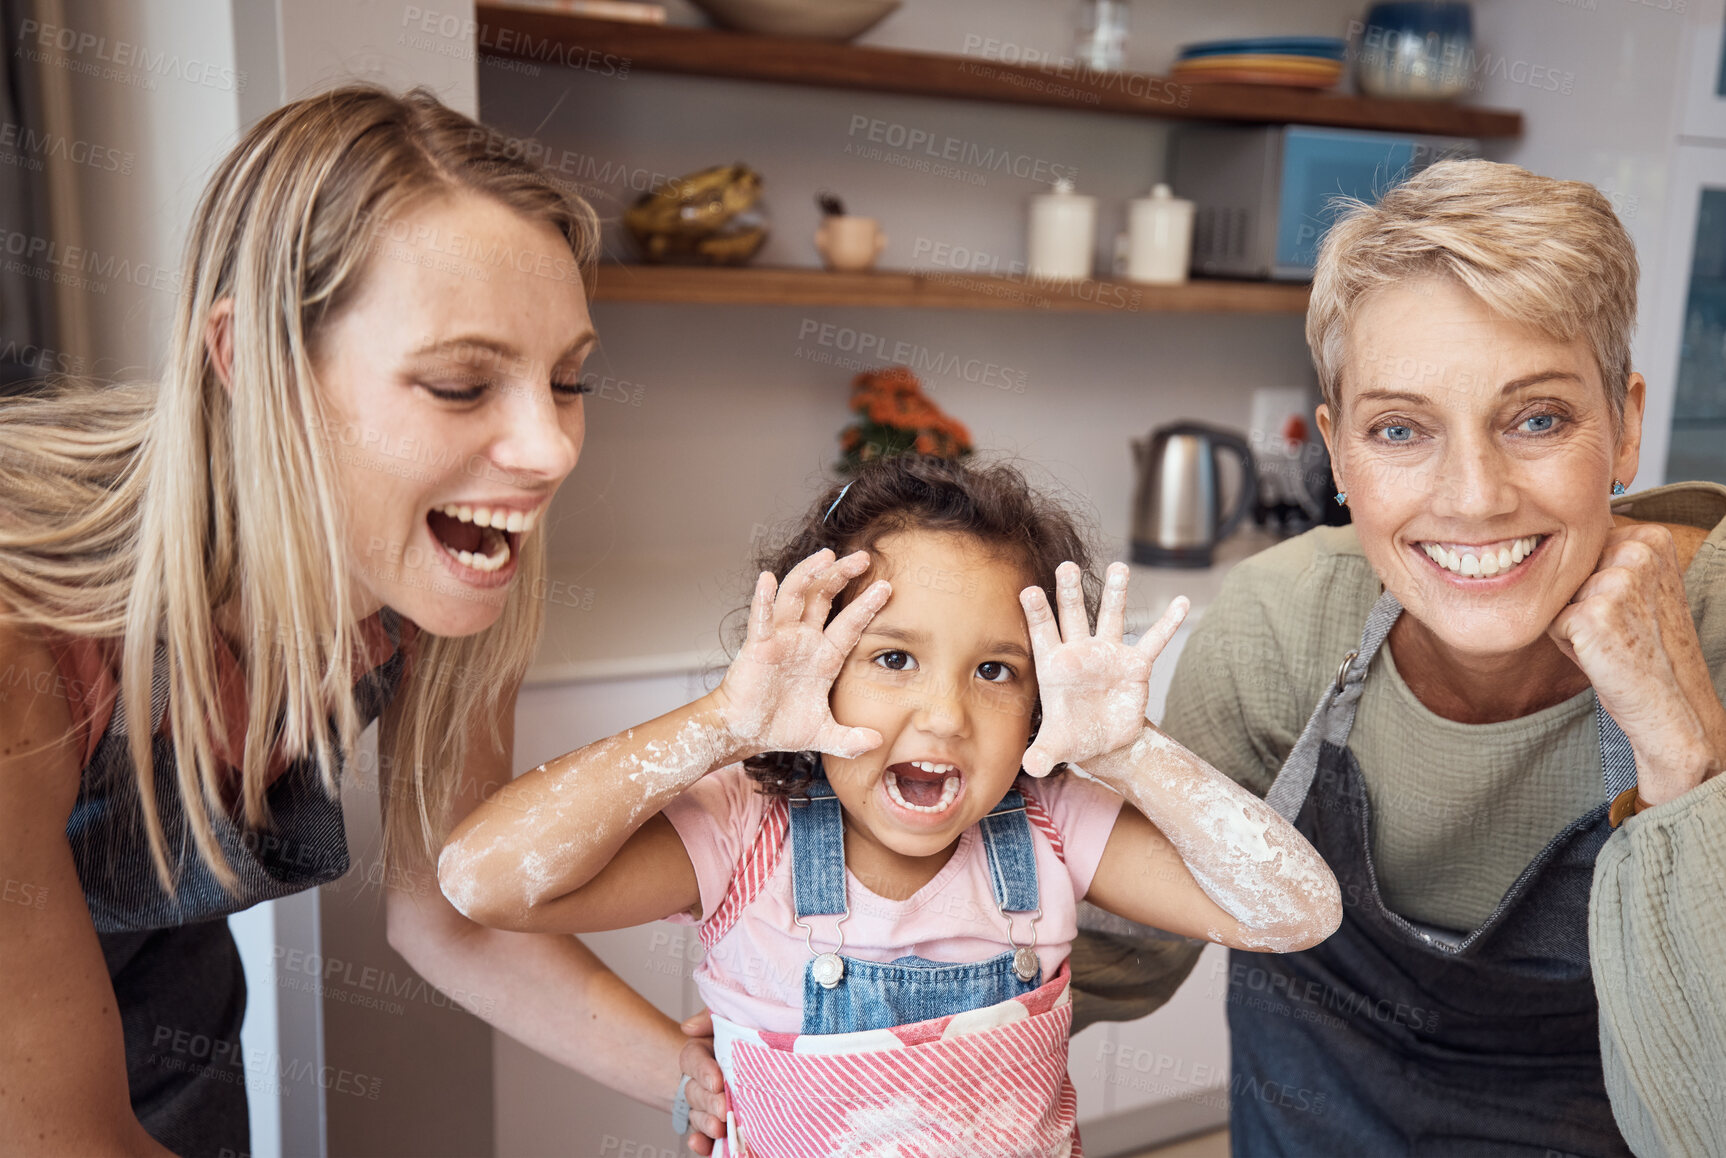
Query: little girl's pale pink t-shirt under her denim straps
{"type": "Point", "coordinates": [753, 974]}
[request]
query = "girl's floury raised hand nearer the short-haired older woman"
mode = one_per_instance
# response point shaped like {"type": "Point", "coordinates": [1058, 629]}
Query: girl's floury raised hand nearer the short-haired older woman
{"type": "Point", "coordinates": [1093, 688]}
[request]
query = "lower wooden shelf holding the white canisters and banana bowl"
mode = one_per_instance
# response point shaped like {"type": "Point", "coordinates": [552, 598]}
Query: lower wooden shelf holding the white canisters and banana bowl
{"type": "Point", "coordinates": [753, 286]}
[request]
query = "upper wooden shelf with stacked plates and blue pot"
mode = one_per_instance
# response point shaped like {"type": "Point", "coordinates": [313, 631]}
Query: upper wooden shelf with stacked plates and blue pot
{"type": "Point", "coordinates": [551, 39]}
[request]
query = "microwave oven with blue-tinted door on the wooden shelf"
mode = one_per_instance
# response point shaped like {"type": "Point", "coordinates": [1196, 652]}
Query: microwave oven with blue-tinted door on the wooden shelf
{"type": "Point", "coordinates": [1264, 196]}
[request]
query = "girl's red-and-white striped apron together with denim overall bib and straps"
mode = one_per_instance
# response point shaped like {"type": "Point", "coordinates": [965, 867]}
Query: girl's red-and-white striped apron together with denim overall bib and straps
{"type": "Point", "coordinates": [909, 1059]}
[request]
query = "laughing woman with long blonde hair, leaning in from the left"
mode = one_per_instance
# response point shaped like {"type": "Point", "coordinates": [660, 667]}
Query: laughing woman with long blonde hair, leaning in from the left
{"type": "Point", "coordinates": [329, 512]}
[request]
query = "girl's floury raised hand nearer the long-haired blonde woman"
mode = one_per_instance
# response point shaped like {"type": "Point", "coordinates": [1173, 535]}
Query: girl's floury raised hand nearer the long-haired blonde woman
{"type": "Point", "coordinates": [774, 696]}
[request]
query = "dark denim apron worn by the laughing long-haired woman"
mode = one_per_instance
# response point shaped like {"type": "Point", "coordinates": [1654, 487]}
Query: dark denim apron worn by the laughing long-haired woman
{"type": "Point", "coordinates": [173, 964]}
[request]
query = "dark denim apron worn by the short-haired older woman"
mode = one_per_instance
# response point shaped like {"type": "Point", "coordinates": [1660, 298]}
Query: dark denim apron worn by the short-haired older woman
{"type": "Point", "coordinates": [1394, 1038]}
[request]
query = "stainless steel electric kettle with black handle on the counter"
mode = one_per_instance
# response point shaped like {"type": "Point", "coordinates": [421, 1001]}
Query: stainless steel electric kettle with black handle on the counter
{"type": "Point", "coordinates": [1178, 507]}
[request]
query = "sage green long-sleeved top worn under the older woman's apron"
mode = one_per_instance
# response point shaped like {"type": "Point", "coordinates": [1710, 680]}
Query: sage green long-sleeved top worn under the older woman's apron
{"type": "Point", "coordinates": [1459, 810]}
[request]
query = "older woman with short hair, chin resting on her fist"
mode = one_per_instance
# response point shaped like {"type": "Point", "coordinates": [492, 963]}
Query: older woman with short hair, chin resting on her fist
{"type": "Point", "coordinates": [1515, 758]}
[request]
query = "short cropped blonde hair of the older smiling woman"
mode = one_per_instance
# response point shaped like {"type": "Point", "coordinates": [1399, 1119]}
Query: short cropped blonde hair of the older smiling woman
{"type": "Point", "coordinates": [1539, 251]}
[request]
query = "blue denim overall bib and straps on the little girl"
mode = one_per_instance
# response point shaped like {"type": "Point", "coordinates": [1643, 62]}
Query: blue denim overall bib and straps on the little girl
{"type": "Point", "coordinates": [845, 995]}
